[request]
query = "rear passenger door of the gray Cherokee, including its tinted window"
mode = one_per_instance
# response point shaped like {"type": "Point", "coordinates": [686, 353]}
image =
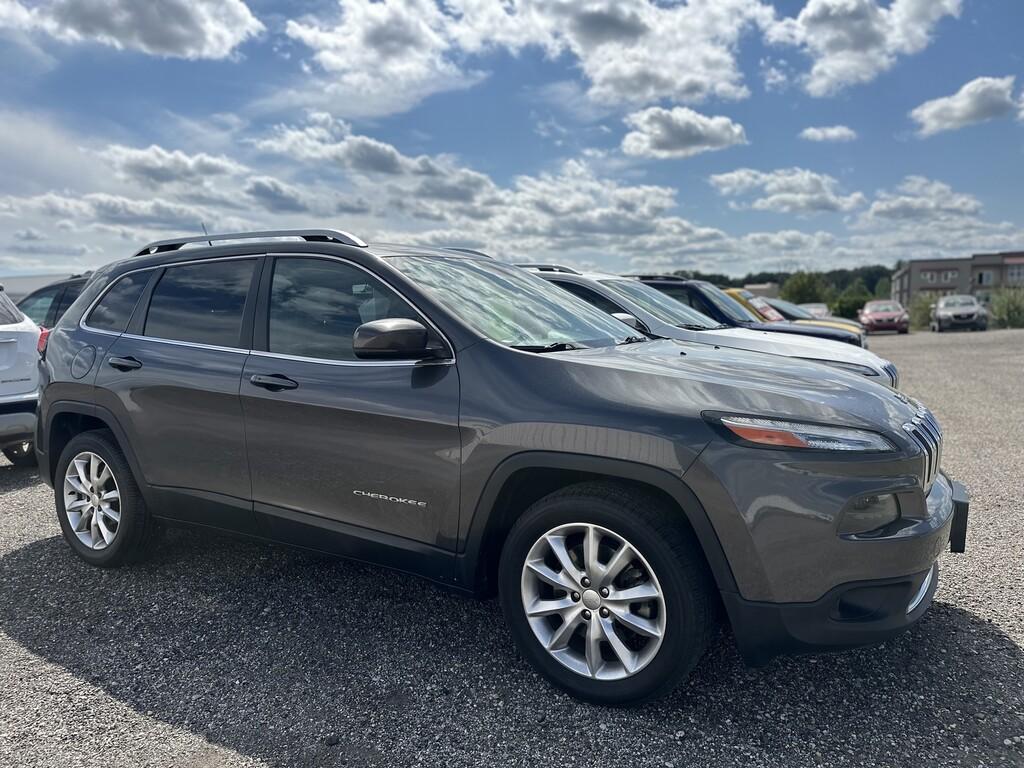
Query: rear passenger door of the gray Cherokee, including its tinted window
{"type": "Point", "coordinates": [173, 382]}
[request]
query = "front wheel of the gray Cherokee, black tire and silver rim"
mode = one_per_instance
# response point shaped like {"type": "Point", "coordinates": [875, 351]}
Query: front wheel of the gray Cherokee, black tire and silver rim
{"type": "Point", "coordinates": [607, 593]}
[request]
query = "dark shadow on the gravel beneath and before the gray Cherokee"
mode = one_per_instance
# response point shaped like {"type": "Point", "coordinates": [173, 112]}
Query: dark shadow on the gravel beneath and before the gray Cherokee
{"type": "Point", "coordinates": [296, 660]}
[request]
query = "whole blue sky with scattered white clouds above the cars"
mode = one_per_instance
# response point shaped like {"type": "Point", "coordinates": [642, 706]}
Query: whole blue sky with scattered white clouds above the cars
{"type": "Point", "coordinates": [727, 135]}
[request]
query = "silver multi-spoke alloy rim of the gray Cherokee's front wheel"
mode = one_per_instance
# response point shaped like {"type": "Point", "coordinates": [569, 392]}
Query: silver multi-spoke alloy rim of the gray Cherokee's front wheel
{"type": "Point", "coordinates": [593, 602]}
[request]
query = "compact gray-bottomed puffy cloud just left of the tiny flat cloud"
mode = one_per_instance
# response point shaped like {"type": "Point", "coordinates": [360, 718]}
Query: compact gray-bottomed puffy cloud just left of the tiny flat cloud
{"type": "Point", "coordinates": [679, 133]}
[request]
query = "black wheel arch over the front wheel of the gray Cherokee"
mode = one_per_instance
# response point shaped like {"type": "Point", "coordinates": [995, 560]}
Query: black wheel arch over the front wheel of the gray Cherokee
{"type": "Point", "coordinates": [492, 518]}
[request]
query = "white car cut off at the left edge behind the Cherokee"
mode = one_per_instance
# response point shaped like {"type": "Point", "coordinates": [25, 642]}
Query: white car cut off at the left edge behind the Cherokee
{"type": "Point", "coordinates": [19, 383]}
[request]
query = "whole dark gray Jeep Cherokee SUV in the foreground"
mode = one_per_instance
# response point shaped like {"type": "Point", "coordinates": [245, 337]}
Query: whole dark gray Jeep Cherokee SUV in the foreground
{"type": "Point", "coordinates": [461, 419]}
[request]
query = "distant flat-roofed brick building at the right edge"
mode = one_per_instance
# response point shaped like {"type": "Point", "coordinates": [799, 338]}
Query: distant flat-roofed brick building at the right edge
{"type": "Point", "coordinates": [980, 275]}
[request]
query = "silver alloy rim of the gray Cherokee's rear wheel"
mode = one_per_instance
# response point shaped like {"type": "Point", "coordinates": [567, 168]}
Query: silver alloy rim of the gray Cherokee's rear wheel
{"type": "Point", "coordinates": [93, 501]}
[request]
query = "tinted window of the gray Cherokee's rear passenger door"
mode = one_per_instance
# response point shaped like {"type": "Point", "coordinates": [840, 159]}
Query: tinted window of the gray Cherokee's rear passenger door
{"type": "Point", "coordinates": [201, 304]}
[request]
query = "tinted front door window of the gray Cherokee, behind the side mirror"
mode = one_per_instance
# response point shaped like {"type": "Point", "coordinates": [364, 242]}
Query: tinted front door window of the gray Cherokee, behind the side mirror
{"type": "Point", "coordinates": [317, 305]}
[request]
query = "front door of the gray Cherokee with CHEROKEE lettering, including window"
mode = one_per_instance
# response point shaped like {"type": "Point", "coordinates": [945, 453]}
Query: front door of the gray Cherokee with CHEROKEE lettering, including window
{"type": "Point", "coordinates": [371, 446]}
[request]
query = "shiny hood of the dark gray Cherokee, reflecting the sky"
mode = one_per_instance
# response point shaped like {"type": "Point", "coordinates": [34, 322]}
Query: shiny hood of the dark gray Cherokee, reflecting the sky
{"type": "Point", "coordinates": [692, 378]}
